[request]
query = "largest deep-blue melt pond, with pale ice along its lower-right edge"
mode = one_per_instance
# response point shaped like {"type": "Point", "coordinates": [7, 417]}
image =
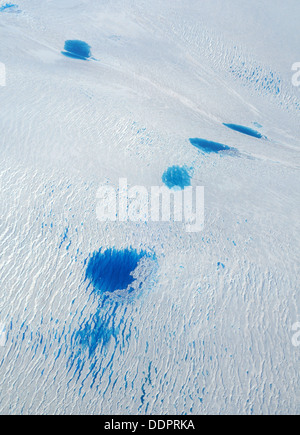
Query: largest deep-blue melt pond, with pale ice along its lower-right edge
{"type": "Point", "coordinates": [112, 270]}
